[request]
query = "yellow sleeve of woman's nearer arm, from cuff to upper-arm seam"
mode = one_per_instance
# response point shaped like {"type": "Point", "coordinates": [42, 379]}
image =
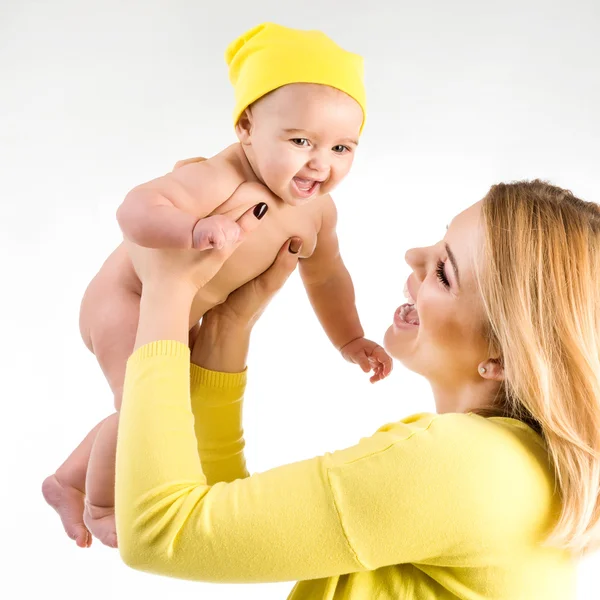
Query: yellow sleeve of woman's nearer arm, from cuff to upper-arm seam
{"type": "Point", "coordinates": [279, 525]}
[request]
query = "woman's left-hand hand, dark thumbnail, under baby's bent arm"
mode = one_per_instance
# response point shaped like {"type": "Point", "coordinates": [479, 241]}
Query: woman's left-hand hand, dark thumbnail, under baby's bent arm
{"type": "Point", "coordinates": [188, 269]}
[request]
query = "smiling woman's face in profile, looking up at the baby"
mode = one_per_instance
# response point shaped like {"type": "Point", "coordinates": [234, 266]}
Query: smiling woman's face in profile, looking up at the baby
{"type": "Point", "coordinates": [442, 336]}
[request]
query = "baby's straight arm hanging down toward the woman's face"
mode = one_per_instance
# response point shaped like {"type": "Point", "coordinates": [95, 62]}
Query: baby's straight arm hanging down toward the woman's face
{"type": "Point", "coordinates": [331, 294]}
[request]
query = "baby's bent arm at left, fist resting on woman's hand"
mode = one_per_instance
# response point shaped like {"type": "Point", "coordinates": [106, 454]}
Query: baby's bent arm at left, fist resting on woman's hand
{"type": "Point", "coordinates": [168, 212]}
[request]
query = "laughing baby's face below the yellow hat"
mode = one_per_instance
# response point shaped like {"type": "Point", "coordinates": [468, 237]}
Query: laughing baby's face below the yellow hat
{"type": "Point", "coordinates": [302, 140]}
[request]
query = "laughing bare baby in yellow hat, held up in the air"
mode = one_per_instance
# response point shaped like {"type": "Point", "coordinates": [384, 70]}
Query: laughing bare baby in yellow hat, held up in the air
{"type": "Point", "coordinates": [299, 112]}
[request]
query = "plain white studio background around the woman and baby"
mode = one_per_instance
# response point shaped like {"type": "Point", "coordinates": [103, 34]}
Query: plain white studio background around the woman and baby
{"type": "Point", "coordinates": [96, 97]}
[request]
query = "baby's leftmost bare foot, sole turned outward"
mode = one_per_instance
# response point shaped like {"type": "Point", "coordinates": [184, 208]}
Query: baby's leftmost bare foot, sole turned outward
{"type": "Point", "coordinates": [68, 502]}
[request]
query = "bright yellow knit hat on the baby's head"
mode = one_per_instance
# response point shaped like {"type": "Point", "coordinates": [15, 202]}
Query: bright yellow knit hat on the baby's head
{"type": "Point", "coordinates": [269, 56]}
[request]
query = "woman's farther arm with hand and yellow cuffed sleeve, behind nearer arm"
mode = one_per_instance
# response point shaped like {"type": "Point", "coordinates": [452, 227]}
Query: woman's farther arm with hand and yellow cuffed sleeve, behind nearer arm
{"type": "Point", "coordinates": [218, 370]}
